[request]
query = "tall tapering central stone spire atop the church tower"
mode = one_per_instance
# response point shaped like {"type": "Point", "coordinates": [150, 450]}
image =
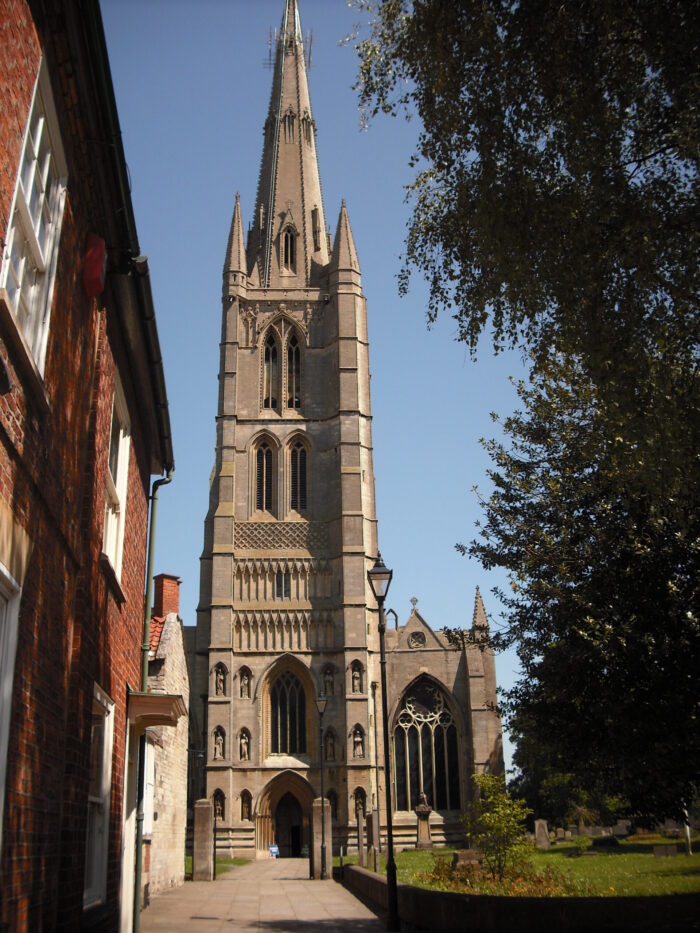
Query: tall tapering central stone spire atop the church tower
{"type": "Point", "coordinates": [287, 240]}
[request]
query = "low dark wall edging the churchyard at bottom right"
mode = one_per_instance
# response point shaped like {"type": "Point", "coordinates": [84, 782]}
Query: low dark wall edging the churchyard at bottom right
{"type": "Point", "coordinates": [422, 910]}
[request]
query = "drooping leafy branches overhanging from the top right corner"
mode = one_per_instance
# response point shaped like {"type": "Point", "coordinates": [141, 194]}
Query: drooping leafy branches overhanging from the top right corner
{"type": "Point", "coordinates": [557, 196]}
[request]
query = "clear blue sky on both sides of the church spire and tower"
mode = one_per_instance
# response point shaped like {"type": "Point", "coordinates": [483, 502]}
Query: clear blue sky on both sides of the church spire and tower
{"type": "Point", "coordinates": [192, 89]}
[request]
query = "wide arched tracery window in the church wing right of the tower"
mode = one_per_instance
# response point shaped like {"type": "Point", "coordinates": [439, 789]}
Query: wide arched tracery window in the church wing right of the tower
{"type": "Point", "coordinates": [426, 750]}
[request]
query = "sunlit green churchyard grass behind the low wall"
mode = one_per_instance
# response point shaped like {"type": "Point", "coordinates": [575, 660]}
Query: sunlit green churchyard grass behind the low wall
{"type": "Point", "coordinates": [630, 869]}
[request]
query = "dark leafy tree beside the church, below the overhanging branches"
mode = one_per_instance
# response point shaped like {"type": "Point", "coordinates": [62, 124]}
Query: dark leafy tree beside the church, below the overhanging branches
{"type": "Point", "coordinates": [600, 540]}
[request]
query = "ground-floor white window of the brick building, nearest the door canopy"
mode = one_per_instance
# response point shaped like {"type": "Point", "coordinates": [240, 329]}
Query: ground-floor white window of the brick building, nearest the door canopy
{"type": "Point", "coordinates": [99, 799]}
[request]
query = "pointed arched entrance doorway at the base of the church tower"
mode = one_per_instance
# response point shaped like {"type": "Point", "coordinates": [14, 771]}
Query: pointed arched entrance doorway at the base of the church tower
{"type": "Point", "coordinates": [283, 815]}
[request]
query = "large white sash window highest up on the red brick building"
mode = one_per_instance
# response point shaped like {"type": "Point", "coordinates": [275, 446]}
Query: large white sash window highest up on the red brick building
{"type": "Point", "coordinates": [30, 256]}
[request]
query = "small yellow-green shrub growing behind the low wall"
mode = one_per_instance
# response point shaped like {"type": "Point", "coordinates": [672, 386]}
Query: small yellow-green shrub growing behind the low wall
{"type": "Point", "coordinates": [496, 823]}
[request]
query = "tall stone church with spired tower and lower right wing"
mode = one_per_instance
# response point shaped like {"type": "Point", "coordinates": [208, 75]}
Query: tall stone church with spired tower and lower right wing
{"type": "Point", "coordinates": [286, 615]}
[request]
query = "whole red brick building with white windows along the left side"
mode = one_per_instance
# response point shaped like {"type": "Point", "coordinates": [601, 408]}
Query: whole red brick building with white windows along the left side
{"type": "Point", "coordinates": [84, 424]}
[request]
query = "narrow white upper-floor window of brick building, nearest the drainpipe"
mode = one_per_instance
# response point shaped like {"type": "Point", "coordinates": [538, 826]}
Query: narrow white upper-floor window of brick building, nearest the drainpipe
{"type": "Point", "coordinates": [117, 486]}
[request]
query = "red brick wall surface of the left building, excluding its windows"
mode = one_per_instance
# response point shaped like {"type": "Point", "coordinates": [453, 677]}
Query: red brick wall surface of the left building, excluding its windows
{"type": "Point", "coordinates": [77, 626]}
